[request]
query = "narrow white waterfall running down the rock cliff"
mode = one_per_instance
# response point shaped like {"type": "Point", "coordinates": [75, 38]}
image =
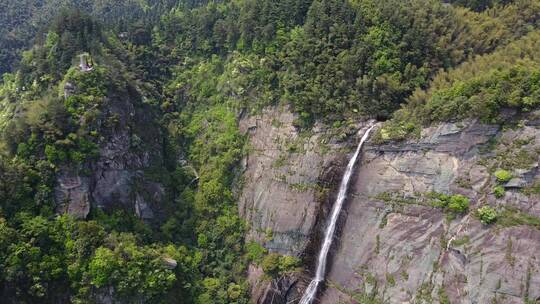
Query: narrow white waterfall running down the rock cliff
{"type": "Point", "coordinates": [311, 291]}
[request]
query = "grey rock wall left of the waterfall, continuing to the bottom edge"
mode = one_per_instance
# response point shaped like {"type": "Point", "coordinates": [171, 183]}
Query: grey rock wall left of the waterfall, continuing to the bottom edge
{"type": "Point", "coordinates": [285, 175]}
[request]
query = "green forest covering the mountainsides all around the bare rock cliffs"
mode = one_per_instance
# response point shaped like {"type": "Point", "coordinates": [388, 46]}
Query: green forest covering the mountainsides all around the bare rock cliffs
{"type": "Point", "coordinates": [193, 68]}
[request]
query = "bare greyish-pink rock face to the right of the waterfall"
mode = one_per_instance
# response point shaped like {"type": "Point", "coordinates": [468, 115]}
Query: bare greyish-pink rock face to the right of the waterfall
{"type": "Point", "coordinates": [414, 253]}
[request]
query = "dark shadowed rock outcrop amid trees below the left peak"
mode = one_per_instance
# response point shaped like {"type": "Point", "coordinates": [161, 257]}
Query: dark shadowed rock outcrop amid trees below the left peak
{"type": "Point", "coordinates": [129, 145]}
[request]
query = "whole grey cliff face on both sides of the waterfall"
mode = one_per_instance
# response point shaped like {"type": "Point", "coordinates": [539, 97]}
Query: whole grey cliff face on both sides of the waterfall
{"type": "Point", "coordinates": [407, 251]}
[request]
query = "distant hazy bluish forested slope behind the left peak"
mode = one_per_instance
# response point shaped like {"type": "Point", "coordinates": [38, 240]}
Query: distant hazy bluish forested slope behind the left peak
{"type": "Point", "coordinates": [22, 22]}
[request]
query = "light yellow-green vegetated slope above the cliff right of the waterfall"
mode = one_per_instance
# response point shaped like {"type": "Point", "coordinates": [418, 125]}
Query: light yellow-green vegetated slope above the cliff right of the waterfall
{"type": "Point", "coordinates": [508, 78]}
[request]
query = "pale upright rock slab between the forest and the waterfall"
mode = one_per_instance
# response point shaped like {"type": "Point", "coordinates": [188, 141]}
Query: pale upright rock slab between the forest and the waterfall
{"type": "Point", "coordinates": [282, 176]}
